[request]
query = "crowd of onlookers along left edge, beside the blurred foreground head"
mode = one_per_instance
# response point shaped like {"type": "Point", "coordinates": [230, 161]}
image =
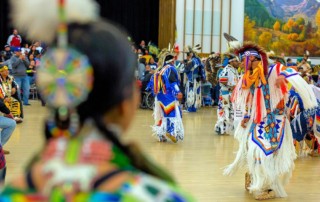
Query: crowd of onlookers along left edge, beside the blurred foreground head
{"type": "Point", "coordinates": [19, 61]}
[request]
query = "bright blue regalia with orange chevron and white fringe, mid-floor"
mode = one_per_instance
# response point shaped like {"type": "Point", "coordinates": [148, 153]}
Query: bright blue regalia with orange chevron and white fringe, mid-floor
{"type": "Point", "coordinates": [167, 113]}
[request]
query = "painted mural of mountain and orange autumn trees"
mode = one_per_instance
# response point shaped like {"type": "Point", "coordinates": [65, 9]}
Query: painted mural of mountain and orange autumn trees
{"type": "Point", "coordinates": [284, 26]}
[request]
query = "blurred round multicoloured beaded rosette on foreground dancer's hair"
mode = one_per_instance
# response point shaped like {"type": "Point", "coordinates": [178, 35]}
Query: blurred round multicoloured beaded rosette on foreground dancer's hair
{"type": "Point", "coordinates": [65, 77]}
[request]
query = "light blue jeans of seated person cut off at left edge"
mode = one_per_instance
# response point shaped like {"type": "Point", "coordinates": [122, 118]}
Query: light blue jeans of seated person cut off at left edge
{"type": "Point", "coordinates": [7, 125]}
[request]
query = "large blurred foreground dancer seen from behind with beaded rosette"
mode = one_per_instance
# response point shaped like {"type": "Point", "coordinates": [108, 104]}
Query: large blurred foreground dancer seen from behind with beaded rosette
{"type": "Point", "coordinates": [93, 97]}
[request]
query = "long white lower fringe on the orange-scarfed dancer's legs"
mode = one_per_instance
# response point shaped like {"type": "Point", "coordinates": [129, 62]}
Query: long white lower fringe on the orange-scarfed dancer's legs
{"type": "Point", "coordinates": [276, 169]}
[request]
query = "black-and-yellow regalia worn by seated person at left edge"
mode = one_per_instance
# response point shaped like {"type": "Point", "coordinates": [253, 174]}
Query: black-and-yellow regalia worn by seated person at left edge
{"type": "Point", "coordinates": [14, 104]}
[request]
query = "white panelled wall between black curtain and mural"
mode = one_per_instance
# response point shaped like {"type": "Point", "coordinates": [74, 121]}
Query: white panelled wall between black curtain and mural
{"type": "Point", "coordinates": [206, 34]}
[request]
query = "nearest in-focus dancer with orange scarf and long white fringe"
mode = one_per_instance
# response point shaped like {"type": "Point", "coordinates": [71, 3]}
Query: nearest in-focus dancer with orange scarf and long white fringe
{"type": "Point", "coordinates": [266, 143]}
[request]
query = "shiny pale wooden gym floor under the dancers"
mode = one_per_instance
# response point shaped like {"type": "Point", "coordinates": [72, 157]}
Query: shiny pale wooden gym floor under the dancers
{"type": "Point", "coordinates": [196, 163]}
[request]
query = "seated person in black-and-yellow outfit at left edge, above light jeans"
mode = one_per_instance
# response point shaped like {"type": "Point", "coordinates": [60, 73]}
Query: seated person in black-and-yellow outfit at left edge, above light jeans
{"type": "Point", "coordinates": [10, 95]}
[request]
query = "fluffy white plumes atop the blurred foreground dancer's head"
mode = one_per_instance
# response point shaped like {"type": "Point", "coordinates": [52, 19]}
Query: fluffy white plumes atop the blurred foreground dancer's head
{"type": "Point", "coordinates": [39, 19]}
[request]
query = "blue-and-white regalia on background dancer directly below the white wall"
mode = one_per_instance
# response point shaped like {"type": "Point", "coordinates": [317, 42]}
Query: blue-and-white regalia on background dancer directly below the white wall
{"type": "Point", "coordinates": [195, 73]}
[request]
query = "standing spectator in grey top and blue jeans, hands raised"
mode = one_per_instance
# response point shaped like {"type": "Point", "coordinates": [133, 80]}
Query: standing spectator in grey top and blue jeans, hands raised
{"type": "Point", "coordinates": [20, 64]}
